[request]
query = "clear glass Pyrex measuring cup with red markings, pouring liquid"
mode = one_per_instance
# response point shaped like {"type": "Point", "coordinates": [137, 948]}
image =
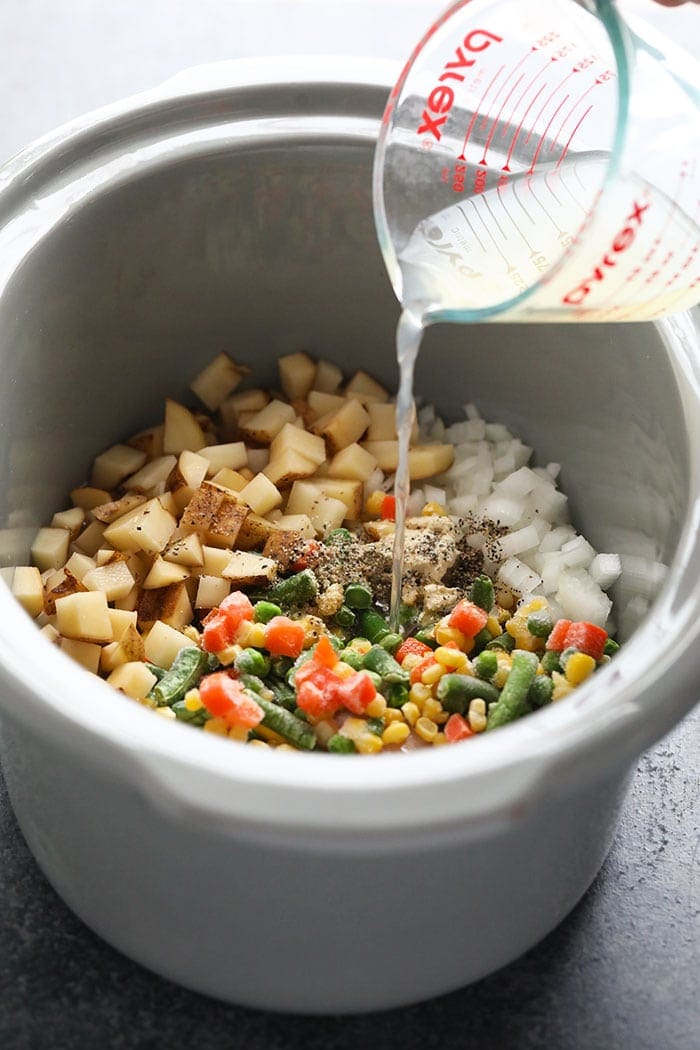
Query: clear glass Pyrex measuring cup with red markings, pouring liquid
{"type": "Point", "coordinates": [542, 162]}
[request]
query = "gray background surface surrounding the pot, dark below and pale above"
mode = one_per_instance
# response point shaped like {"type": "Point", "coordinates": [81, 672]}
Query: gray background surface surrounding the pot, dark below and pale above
{"type": "Point", "coordinates": [623, 971]}
